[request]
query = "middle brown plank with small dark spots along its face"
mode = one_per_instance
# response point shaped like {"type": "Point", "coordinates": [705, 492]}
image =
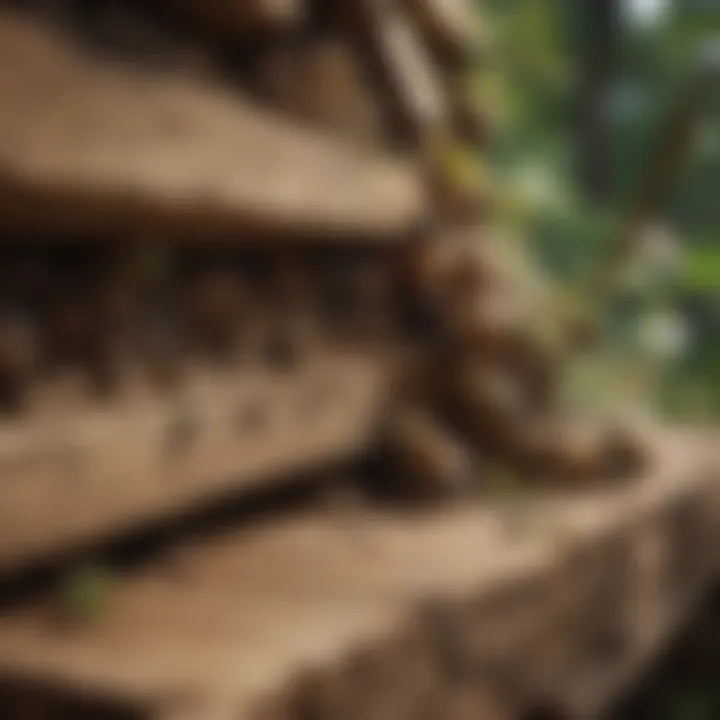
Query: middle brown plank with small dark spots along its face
{"type": "Point", "coordinates": [72, 473]}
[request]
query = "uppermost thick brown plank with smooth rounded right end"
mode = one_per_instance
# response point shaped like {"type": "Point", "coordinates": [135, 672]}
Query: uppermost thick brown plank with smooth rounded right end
{"type": "Point", "coordinates": [85, 147]}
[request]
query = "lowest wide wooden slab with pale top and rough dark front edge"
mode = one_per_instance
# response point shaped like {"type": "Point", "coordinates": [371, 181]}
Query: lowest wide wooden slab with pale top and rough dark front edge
{"type": "Point", "coordinates": [532, 600]}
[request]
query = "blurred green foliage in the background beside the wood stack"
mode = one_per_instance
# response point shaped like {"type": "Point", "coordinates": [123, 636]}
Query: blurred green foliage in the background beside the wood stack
{"type": "Point", "coordinates": [528, 81]}
